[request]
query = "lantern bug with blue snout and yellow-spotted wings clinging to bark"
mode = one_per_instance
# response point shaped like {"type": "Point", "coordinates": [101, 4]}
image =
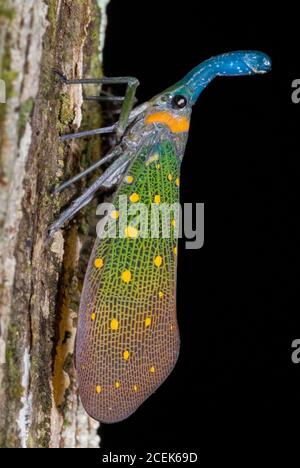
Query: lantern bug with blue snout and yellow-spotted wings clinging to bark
{"type": "Point", "coordinates": [127, 337]}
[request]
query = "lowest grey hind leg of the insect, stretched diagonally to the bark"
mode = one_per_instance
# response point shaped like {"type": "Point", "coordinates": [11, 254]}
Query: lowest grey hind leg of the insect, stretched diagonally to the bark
{"type": "Point", "coordinates": [116, 168]}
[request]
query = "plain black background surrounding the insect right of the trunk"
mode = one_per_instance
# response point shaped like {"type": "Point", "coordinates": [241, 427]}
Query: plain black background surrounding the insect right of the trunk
{"type": "Point", "coordinates": [237, 296]}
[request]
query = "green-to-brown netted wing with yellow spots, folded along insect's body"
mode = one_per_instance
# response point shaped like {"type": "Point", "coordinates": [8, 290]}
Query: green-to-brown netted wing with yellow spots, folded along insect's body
{"type": "Point", "coordinates": [127, 339]}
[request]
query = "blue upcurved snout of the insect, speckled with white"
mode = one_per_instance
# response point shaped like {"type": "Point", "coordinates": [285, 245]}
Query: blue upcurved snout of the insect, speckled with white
{"type": "Point", "coordinates": [237, 63]}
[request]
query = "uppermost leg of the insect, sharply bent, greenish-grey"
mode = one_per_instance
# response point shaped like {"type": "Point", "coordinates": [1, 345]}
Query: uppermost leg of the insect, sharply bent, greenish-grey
{"type": "Point", "coordinates": [129, 99]}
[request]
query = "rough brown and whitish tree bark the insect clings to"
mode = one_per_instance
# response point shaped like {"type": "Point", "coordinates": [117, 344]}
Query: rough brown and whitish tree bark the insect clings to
{"type": "Point", "coordinates": [40, 284]}
